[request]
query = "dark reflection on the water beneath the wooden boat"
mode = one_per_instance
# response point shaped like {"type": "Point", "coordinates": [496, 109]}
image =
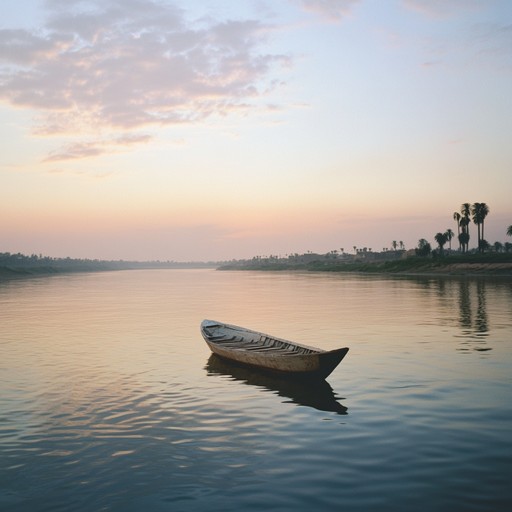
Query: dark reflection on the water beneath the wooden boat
{"type": "Point", "coordinates": [314, 393]}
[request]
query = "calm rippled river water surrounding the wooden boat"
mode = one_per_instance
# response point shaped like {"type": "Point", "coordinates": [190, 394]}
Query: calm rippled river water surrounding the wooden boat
{"type": "Point", "coordinates": [110, 401]}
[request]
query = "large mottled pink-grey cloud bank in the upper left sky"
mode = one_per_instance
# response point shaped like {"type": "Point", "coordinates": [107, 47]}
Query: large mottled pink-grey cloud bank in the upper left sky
{"type": "Point", "coordinates": [122, 65]}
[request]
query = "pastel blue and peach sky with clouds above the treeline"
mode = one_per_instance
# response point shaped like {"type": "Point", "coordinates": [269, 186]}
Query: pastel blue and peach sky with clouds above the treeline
{"type": "Point", "coordinates": [194, 130]}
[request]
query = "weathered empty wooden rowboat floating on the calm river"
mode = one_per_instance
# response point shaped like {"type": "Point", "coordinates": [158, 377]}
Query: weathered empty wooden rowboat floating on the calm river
{"type": "Point", "coordinates": [267, 352]}
